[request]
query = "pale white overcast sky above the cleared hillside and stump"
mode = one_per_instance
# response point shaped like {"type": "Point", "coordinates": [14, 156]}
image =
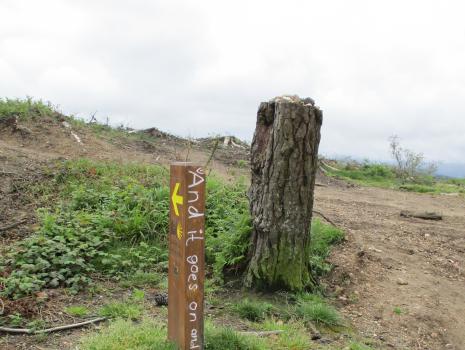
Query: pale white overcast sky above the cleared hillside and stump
{"type": "Point", "coordinates": [197, 68]}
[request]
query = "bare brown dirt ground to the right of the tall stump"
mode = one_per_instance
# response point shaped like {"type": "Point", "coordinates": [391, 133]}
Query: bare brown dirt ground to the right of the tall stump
{"type": "Point", "coordinates": [391, 263]}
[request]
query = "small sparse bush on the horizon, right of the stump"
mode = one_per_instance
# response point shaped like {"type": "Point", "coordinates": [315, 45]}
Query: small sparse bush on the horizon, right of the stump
{"type": "Point", "coordinates": [409, 164]}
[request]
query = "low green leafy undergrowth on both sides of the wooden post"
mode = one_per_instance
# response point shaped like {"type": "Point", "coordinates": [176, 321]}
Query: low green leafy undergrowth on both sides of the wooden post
{"type": "Point", "coordinates": [113, 219]}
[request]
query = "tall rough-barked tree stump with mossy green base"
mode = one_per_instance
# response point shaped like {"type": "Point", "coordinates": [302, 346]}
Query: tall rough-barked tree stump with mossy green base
{"type": "Point", "coordinates": [284, 160]}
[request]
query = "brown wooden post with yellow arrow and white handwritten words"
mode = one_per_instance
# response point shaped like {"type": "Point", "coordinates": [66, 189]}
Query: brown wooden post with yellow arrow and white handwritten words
{"type": "Point", "coordinates": [186, 272]}
